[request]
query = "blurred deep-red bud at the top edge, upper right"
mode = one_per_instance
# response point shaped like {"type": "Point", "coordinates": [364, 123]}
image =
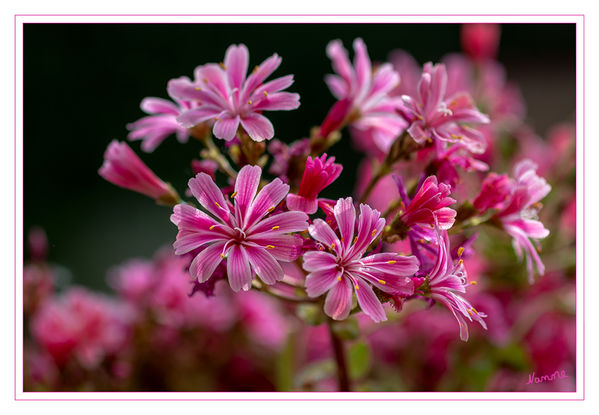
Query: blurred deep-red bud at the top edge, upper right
{"type": "Point", "coordinates": [480, 40]}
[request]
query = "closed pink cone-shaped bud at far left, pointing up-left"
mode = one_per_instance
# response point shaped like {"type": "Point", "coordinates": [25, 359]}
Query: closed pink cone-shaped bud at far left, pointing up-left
{"type": "Point", "coordinates": [123, 168]}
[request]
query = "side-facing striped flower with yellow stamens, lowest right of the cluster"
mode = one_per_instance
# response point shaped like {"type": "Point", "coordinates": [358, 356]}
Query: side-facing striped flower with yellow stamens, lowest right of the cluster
{"type": "Point", "coordinates": [445, 281]}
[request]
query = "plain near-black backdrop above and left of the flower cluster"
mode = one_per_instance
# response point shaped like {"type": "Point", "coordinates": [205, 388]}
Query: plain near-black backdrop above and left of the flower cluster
{"type": "Point", "coordinates": [84, 82]}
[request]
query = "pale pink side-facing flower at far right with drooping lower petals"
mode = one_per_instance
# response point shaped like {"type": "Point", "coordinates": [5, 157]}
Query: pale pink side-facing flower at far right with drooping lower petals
{"type": "Point", "coordinates": [519, 216]}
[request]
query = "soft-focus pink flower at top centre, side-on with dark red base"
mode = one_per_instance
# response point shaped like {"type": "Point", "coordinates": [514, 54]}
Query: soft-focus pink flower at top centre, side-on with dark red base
{"type": "Point", "coordinates": [363, 95]}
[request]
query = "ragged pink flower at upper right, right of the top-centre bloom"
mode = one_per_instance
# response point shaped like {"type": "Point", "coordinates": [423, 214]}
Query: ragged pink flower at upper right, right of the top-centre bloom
{"type": "Point", "coordinates": [435, 117]}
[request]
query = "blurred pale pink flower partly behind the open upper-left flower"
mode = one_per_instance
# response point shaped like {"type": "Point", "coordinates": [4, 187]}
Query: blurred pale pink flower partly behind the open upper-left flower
{"type": "Point", "coordinates": [161, 123]}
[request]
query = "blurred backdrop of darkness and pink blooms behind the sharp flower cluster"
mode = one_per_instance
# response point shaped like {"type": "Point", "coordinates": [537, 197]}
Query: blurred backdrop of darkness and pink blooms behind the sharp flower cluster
{"type": "Point", "coordinates": [83, 84]}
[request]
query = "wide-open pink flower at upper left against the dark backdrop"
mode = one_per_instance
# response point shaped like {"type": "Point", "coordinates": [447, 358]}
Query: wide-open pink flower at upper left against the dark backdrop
{"type": "Point", "coordinates": [224, 94]}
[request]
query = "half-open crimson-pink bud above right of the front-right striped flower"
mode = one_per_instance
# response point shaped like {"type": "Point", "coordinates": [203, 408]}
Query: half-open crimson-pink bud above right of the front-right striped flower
{"type": "Point", "coordinates": [430, 204]}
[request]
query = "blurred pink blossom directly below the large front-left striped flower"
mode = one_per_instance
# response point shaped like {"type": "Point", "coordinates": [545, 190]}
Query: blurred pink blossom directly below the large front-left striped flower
{"type": "Point", "coordinates": [262, 318]}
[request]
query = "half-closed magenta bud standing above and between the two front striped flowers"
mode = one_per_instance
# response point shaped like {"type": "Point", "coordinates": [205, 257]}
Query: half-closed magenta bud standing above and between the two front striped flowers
{"type": "Point", "coordinates": [318, 174]}
